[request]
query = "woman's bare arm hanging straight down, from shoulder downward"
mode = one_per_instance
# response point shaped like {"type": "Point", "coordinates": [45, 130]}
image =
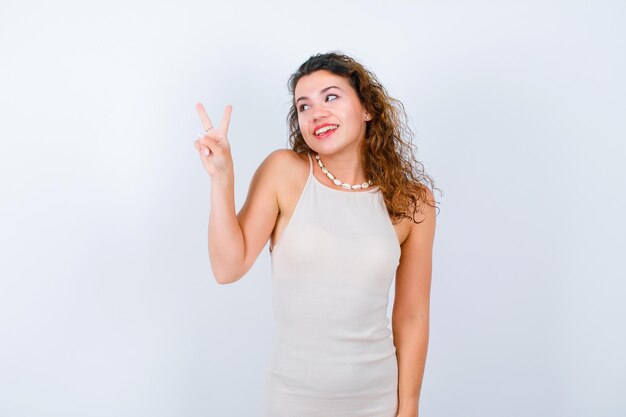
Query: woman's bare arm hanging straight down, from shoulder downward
{"type": "Point", "coordinates": [410, 317]}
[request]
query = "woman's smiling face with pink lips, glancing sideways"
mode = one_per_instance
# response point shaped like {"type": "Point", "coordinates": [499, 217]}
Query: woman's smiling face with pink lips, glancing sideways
{"type": "Point", "coordinates": [323, 98]}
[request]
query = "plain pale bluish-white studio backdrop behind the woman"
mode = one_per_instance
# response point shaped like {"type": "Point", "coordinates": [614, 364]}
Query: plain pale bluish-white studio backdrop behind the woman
{"type": "Point", "coordinates": [107, 302]}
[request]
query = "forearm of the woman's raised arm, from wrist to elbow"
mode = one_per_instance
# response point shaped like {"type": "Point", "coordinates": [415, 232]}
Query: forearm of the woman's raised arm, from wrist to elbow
{"type": "Point", "coordinates": [226, 244]}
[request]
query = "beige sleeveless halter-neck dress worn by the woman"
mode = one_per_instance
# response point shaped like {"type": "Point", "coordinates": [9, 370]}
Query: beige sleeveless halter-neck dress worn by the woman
{"type": "Point", "coordinates": [333, 353]}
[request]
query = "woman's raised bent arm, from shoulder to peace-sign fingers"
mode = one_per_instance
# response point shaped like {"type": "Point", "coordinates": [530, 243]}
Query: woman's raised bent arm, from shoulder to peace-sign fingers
{"type": "Point", "coordinates": [235, 240]}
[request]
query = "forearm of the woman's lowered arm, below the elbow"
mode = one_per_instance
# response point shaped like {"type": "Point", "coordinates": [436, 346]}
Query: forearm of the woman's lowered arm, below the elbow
{"type": "Point", "coordinates": [411, 341]}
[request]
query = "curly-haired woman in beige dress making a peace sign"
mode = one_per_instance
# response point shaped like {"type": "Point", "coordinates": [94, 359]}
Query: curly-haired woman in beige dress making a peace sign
{"type": "Point", "coordinates": [347, 208]}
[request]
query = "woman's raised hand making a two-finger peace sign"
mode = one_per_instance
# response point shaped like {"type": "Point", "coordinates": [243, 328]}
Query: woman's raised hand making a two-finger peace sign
{"type": "Point", "coordinates": [213, 145]}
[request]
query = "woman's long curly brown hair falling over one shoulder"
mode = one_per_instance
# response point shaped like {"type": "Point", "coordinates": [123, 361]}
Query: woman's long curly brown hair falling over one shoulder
{"type": "Point", "coordinates": [386, 153]}
